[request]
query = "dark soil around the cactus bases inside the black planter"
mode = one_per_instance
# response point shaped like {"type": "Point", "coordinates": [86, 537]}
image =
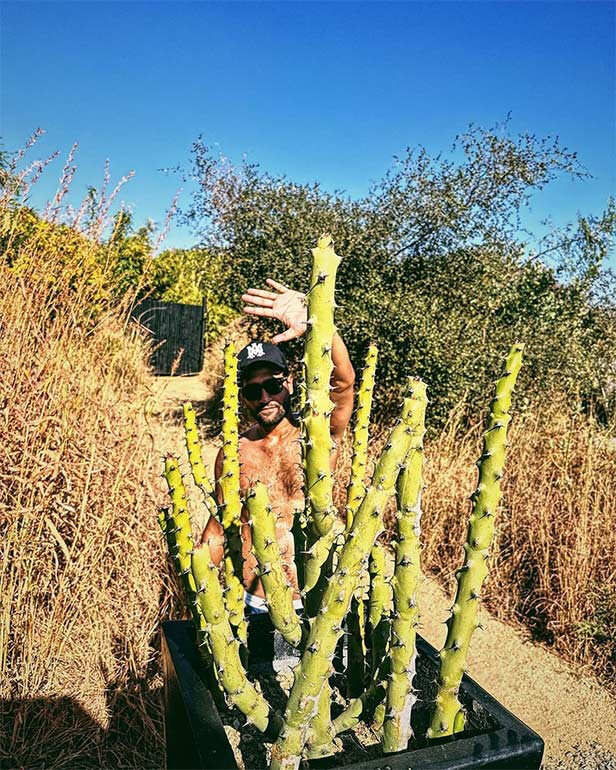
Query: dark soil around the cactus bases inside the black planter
{"type": "Point", "coordinates": [359, 744]}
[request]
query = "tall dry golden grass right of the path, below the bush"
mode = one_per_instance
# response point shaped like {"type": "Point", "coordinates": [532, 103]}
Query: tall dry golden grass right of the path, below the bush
{"type": "Point", "coordinates": [552, 565]}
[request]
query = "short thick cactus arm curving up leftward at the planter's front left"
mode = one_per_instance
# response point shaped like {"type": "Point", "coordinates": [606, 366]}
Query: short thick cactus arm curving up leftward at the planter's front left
{"type": "Point", "coordinates": [225, 648]}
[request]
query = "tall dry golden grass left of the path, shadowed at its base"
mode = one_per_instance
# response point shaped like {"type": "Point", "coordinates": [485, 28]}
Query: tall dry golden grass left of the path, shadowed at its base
{"type": "Point", "coordinates": [82, 583]}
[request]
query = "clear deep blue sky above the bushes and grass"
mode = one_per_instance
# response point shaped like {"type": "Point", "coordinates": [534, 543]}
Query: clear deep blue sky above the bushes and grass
{"type": "Point", "coordinates": [317, 91]}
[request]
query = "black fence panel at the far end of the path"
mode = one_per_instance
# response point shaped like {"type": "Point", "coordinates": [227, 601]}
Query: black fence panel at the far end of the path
{"type": "Point", "coordinates": [176, 329]}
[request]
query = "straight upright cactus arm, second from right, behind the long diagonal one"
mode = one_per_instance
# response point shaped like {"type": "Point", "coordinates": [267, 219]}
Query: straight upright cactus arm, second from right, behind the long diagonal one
{"type": "Point", "coordinates": [402, 650]}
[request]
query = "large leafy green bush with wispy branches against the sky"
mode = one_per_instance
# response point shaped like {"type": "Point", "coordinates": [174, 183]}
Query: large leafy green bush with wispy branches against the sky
{"type": "Point", "coordinates": [434, 268]}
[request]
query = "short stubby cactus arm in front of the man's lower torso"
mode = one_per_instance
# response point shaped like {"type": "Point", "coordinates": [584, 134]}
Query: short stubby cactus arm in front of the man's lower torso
{"type": "Point", "coordinates": [278, 592]}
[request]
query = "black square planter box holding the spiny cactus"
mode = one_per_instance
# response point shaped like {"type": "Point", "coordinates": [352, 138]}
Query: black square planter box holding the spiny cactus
{"type": "Point", "coordinates": [196, 737]}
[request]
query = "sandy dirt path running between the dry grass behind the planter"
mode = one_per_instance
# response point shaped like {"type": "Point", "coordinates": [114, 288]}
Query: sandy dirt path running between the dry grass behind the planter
{"type": "Point", "coordinates": [573, 714]}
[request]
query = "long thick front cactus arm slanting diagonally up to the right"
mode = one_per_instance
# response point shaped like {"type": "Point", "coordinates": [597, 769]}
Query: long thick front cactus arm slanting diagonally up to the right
{"type": "Point", "coordinates": [326, 628]}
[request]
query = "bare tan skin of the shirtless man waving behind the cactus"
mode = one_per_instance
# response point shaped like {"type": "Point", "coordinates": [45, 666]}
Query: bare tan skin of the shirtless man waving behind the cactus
{"type": "Point", "coordinates": [269, 450]}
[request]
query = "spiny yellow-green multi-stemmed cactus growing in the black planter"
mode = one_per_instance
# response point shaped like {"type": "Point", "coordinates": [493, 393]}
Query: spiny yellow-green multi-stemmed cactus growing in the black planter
{"type": "Point", "coordinates": [345, 570]}
